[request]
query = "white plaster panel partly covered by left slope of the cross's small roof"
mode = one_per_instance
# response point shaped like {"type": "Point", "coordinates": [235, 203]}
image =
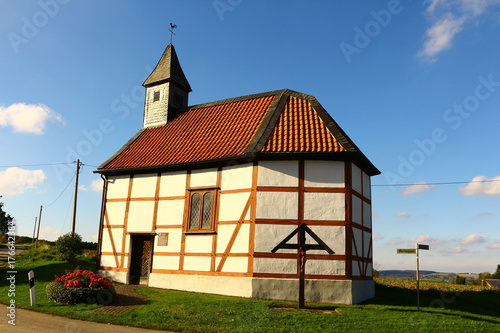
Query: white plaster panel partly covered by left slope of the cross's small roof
{"type": "Point", "coordinates": [267, 236]}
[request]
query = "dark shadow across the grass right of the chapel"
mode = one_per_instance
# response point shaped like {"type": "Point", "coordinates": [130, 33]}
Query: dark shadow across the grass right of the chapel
{"type": "Point", "coordinates": [485, 302]}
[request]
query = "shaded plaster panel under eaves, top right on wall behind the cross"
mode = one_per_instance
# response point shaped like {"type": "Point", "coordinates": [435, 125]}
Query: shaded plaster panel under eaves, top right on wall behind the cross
{"type": "Point", "coordinates": [324, 174]}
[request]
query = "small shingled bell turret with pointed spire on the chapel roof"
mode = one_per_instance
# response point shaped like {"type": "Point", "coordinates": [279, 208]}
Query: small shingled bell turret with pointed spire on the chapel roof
{"type": "Point", "coordinates": [167, 89]}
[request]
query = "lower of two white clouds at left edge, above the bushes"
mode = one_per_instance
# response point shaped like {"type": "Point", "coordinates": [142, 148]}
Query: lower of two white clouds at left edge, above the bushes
{"type": "Point", "coordinates": [14, 181]}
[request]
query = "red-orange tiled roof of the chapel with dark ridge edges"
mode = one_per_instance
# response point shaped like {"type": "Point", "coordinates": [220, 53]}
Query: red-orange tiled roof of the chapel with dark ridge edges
{"type": "Point", "coordinates": [281, 121]}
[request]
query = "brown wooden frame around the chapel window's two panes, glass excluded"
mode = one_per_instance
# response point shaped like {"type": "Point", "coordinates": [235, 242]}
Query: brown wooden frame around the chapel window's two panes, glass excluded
{"type": "Point", "coordinates": [201, 192]}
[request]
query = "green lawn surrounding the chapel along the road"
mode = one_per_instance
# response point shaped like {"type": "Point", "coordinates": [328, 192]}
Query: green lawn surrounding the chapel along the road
{"type": "Point", "coordinates": [446, 308]}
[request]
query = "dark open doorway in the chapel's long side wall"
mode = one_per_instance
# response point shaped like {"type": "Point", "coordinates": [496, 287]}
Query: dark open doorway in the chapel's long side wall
{"type": "Point", "coordinates": [140, 261]}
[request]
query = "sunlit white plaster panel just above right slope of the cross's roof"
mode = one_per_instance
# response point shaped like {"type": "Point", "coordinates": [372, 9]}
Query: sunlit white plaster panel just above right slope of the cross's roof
{"type": "Point", "coordinates": [324, 206]}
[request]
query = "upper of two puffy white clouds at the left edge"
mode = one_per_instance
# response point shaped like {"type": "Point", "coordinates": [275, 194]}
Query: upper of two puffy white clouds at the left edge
{"type": "Point", "coordinates": [28, 118]}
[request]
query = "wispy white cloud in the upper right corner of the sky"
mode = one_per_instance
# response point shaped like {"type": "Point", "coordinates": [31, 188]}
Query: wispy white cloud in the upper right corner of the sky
{"type": "Point", "coordinates": [447, 18]}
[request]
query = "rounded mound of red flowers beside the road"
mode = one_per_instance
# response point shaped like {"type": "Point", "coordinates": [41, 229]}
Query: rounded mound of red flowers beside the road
{"type": "Point", "coordinates": [81, 287]}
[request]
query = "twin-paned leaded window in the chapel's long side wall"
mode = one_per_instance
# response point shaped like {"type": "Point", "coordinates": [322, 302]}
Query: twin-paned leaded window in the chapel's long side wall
{"type": "Point", "coordinates": [201, 210]}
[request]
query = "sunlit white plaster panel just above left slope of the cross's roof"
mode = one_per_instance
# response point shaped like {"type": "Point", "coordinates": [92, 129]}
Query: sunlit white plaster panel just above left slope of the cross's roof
{"type": "Point", "coordinates": [277, 205]}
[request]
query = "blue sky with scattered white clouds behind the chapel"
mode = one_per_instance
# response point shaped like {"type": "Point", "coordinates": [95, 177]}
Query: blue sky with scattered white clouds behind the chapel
{"type": "Point", "coordinates": [416, 85]}
